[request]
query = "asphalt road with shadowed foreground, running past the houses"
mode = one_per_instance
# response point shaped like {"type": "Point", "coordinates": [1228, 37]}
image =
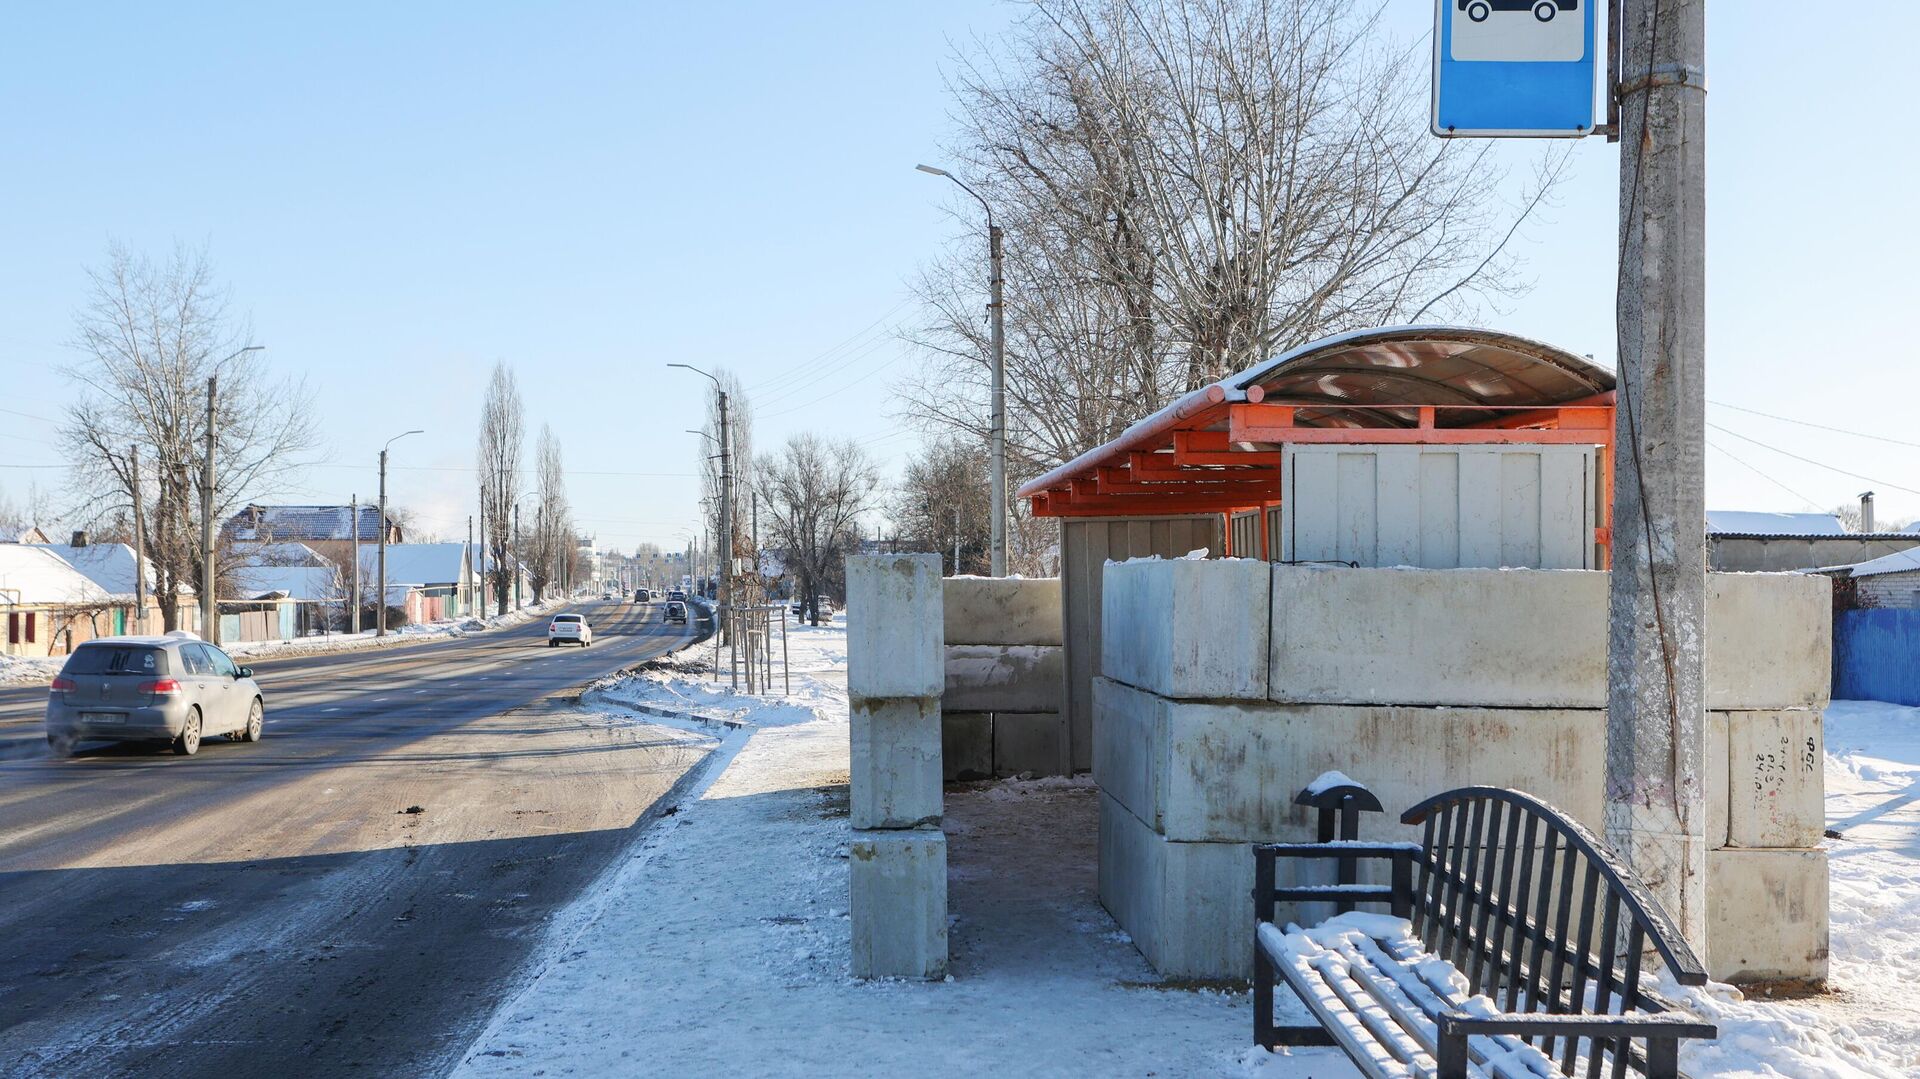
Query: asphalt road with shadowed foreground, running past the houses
{"type": "Point", "coordinates": [274, 909]}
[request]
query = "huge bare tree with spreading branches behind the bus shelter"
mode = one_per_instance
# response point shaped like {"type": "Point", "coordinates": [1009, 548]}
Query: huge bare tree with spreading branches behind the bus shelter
{"type": "Point", "coordinates": [1188, 187]}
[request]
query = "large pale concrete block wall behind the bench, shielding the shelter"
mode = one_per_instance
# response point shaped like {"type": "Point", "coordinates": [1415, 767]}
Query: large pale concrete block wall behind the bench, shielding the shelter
{"type": "Point", "coordinates": [1230, 686]}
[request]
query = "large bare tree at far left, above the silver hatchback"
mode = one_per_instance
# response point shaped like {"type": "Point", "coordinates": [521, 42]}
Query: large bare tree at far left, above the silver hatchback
{"type": "Point", "coordinates": [151, 337]}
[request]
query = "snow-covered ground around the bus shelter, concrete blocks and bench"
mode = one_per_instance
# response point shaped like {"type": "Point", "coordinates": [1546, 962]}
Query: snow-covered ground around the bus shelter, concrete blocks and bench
{"type": "Point", "coordinates": [719, 946]}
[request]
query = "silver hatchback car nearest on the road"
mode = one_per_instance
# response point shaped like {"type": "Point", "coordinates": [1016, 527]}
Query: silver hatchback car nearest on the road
{"type": "Point", "coordinates": [176, 690]}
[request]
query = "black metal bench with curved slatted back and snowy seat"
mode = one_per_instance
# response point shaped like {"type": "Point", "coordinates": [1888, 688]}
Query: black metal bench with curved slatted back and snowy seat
{"type": "Point", "coordinates": [1512, 946]}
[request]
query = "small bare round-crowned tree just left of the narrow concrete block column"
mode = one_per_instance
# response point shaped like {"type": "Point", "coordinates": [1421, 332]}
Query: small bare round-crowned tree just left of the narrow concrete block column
{"type": "Point", "coordinates": [813, 496]}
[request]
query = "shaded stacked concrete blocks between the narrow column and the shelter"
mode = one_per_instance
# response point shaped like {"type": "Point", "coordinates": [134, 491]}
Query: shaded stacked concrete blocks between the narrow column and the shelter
{"type": "Point", "coordinates": [1005, 679]}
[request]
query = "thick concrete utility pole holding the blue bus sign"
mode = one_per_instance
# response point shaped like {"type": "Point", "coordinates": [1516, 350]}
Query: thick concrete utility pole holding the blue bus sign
{"type": "Point", "coordinates": [1658, 600]}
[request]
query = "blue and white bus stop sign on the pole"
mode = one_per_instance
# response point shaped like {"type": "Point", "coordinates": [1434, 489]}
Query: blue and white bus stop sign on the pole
{"type": "Point", "coordinates": [1516, 68]}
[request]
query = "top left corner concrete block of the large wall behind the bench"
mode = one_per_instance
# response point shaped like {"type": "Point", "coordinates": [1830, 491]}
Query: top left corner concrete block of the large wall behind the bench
{"type": "Point", "coordinates": [1188, 629]}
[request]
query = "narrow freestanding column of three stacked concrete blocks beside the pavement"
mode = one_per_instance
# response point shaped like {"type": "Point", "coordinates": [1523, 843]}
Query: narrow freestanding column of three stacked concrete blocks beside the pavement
{"type": "Point", "coordinates": [896, 675]}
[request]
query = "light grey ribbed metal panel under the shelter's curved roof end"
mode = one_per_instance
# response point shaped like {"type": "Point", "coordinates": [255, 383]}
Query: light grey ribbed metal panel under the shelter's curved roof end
{"type": "Point", "coordinates": [1441, 506]}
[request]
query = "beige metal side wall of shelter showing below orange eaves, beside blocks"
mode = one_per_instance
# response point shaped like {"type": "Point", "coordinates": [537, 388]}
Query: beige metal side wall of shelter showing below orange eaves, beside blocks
{"type": "Point", "coordinates": [1086, 546]}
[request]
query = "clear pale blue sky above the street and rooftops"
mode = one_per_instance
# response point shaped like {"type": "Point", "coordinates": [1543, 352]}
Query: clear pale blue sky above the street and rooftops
{"type": "Point", "coordinates": [404, 193]}
